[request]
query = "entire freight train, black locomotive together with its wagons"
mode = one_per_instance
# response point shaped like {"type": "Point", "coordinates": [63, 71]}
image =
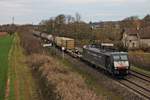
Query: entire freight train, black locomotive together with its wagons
{"type": "Point", "coordinates": [114, 62]}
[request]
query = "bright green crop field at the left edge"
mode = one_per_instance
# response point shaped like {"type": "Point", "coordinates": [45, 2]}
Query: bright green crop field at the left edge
{"type": "Point", "coordinates": [5, 45]}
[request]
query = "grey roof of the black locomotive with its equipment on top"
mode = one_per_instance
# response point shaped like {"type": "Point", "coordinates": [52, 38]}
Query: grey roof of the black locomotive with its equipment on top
{"type": "Point", "coordinates": [102, 51]}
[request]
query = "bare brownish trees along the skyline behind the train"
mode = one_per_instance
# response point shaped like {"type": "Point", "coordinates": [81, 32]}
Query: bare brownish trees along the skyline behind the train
{"type": "Point", "coordinates": [74, 27]}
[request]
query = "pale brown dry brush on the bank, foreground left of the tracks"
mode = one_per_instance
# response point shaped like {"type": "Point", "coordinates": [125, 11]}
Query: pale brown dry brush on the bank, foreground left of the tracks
{"type": "Point", "coordinates": [67, 85]}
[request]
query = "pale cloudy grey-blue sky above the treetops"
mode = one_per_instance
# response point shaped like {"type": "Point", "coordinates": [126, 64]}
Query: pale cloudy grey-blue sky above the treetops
{"type": "Point", "coordinates": [33, 11]}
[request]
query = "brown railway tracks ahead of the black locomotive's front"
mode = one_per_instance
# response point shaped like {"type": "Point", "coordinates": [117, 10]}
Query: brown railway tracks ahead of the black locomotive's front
{"type": "Point", "coordinates": [139, 83]}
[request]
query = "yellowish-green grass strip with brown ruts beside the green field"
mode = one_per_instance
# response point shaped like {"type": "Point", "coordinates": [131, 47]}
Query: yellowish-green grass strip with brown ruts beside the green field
{"type": "Point", "coordinates": [22, 85]}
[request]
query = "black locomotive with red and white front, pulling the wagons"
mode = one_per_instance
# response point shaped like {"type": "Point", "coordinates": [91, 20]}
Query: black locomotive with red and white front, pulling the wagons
{"type": "Point", "coordinates": [115, 62]}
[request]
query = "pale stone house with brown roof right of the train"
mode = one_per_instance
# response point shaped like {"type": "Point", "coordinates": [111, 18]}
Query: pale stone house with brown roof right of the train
{"type": "Point", "coordinates": [136, 38]}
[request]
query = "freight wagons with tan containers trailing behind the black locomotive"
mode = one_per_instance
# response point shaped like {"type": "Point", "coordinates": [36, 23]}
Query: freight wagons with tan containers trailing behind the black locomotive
{"type": "Point", "coordinates": [63, 43]}
